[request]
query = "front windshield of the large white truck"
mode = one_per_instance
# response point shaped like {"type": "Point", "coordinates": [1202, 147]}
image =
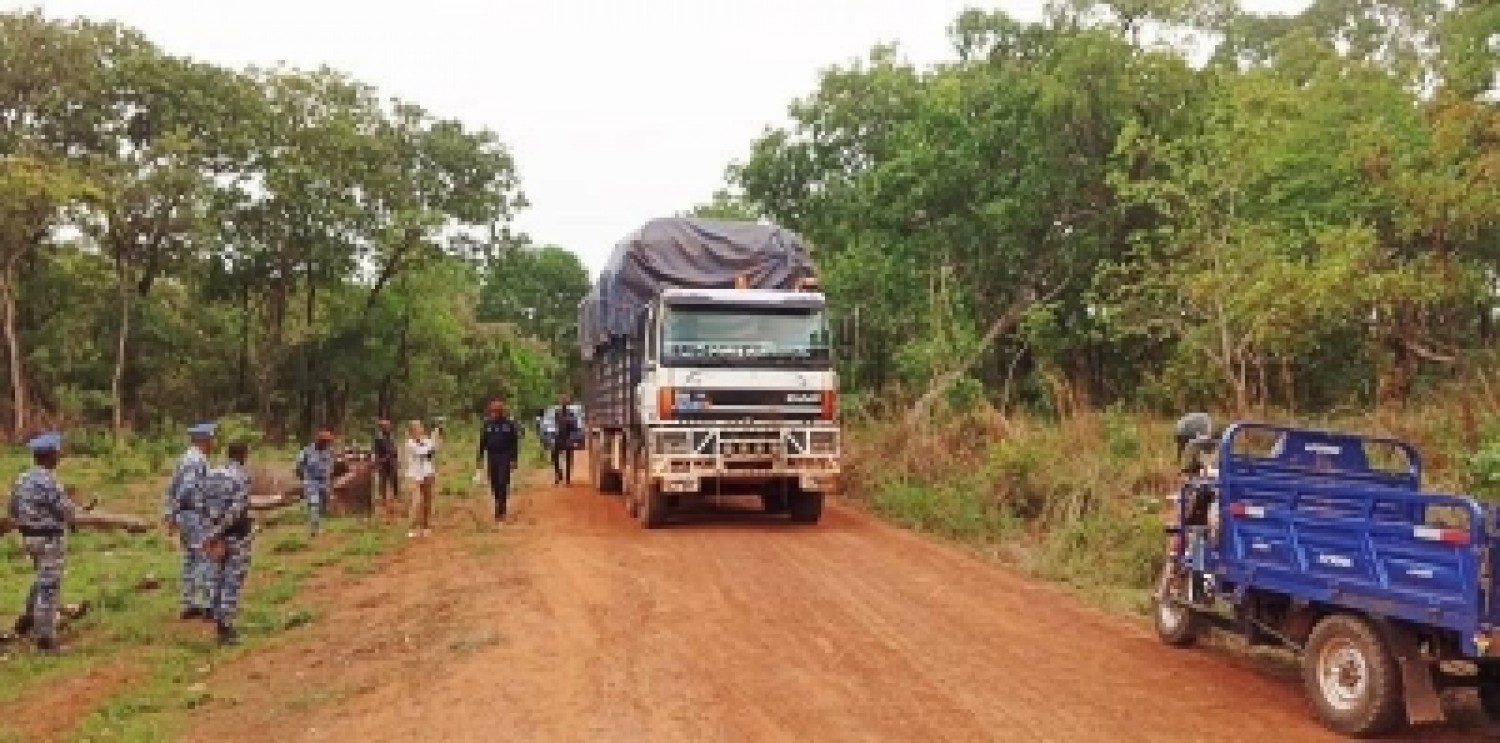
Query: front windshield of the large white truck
{"type": "Point", "coordinates": [718, 335]}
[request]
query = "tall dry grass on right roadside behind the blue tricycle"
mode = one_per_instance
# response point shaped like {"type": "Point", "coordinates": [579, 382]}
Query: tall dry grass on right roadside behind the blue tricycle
{"type": "Point", "coordinates": [1079, 502]}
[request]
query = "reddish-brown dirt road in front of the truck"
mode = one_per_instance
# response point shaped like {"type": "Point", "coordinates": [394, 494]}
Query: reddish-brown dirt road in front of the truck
{"type": "Point", "coordinates": [577, 625]}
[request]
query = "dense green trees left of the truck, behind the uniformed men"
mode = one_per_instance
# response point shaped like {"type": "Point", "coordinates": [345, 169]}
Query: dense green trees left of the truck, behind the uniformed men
{"type": "Point", "coordinates": [181, 241]}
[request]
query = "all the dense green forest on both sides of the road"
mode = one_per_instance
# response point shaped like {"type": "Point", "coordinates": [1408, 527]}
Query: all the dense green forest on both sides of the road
{"type": "Point", "coordinates": [1156, 203]}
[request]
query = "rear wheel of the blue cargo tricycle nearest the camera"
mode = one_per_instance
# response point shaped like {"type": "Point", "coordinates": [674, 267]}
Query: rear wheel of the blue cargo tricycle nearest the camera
{"type": "Point", "coordinates": [1352, 678]}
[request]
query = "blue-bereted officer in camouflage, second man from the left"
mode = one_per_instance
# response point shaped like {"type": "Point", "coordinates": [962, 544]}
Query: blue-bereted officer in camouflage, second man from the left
{"type": "Point", "coordinates": [181, 517]}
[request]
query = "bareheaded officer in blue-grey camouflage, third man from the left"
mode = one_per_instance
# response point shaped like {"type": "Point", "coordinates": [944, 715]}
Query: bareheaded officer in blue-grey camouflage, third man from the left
{"type": "Point", "coordinates": [227, 537]}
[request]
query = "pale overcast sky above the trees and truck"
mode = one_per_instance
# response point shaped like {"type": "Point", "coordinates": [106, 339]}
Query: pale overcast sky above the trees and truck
{"type": "Point", "coordinates": [617, 110]}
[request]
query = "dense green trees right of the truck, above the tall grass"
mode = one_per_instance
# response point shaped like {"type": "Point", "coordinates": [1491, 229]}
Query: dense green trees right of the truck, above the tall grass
{"type": "Point", "coordinates": [1156, 203]}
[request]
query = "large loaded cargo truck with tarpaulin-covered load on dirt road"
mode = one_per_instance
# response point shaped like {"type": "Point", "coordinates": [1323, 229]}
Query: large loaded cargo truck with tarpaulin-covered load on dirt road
{"type": "Point", "coordinates": [709, 371]}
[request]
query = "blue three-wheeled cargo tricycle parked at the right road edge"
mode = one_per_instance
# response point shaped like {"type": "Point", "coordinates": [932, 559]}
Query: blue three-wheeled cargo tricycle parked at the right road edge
{"type": "Point", "coordinates": [1327, 544]}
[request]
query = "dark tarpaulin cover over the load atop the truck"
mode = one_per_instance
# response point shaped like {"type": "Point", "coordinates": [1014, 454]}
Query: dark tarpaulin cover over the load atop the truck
{"type": "Point", "coordinates": [686, 253]}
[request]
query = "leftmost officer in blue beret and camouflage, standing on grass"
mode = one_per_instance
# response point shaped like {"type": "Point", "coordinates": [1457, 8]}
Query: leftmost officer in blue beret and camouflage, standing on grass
{"type": "Point", "coordinates": [43, 513]}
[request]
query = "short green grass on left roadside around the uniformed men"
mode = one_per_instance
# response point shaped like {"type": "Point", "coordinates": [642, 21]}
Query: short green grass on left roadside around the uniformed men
{"type": "Point", "coordinates": [134, 625]}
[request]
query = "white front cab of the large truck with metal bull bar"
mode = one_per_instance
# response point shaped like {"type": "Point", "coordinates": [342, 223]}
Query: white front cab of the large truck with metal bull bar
{"type": "Point", "coordinates": [740, 391]}
